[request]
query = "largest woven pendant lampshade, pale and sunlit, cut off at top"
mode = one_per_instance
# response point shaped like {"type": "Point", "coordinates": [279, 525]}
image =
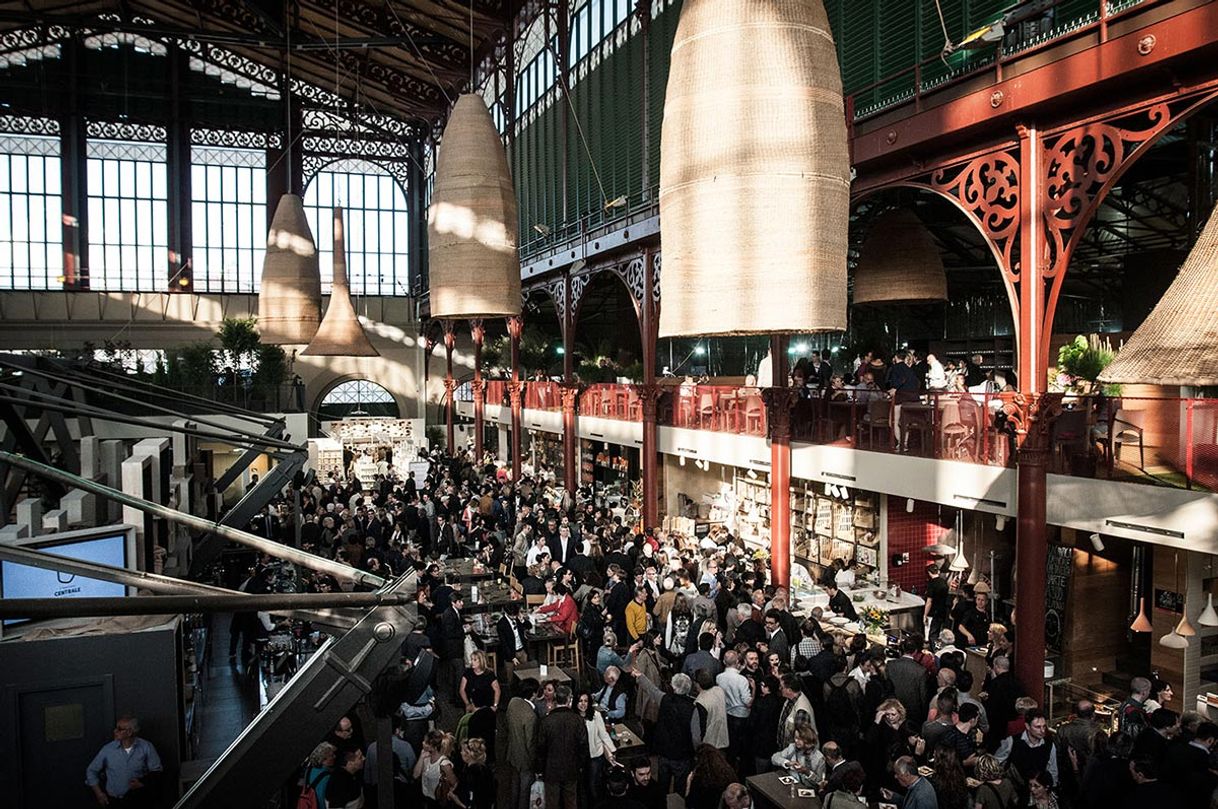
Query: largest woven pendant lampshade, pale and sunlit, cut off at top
{"type": "Point", "coordinates": [755, 172]}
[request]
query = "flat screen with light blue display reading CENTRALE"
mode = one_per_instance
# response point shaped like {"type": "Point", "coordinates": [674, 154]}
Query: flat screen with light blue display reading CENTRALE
{"type": "Point", "coordinates": [111, 545]}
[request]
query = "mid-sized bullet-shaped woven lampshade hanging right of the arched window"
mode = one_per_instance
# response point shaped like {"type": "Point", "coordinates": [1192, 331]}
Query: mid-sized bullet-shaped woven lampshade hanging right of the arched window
{"type": "Point", "coordinates": [472, 225]}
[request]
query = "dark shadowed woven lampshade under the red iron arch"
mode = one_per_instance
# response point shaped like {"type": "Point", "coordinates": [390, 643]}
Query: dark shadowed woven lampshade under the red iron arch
{"type": "Point", "coordinates": [899, 264]}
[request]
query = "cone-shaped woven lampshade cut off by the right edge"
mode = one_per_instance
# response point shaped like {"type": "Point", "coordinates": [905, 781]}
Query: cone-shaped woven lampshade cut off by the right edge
{"type": "Point", "coordinates": [1176, 343]}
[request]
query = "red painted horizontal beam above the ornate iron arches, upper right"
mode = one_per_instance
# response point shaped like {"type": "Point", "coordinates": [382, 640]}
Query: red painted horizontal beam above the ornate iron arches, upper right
{"type": "Point", "coordinates": [1091, 72]}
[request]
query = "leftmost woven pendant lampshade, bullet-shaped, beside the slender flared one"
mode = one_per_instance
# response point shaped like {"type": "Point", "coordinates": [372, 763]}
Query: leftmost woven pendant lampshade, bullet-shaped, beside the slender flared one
{"type": "Point", "coordinates": [290, 299]}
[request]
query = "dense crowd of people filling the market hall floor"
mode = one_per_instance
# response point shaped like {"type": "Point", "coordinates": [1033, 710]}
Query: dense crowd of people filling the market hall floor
{"type": "Point", "coordinates": [688, 644]}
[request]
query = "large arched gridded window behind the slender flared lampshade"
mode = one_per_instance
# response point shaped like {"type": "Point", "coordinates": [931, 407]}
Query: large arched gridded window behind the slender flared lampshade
{"type": "Point", "coordinates": [376, 216]}
